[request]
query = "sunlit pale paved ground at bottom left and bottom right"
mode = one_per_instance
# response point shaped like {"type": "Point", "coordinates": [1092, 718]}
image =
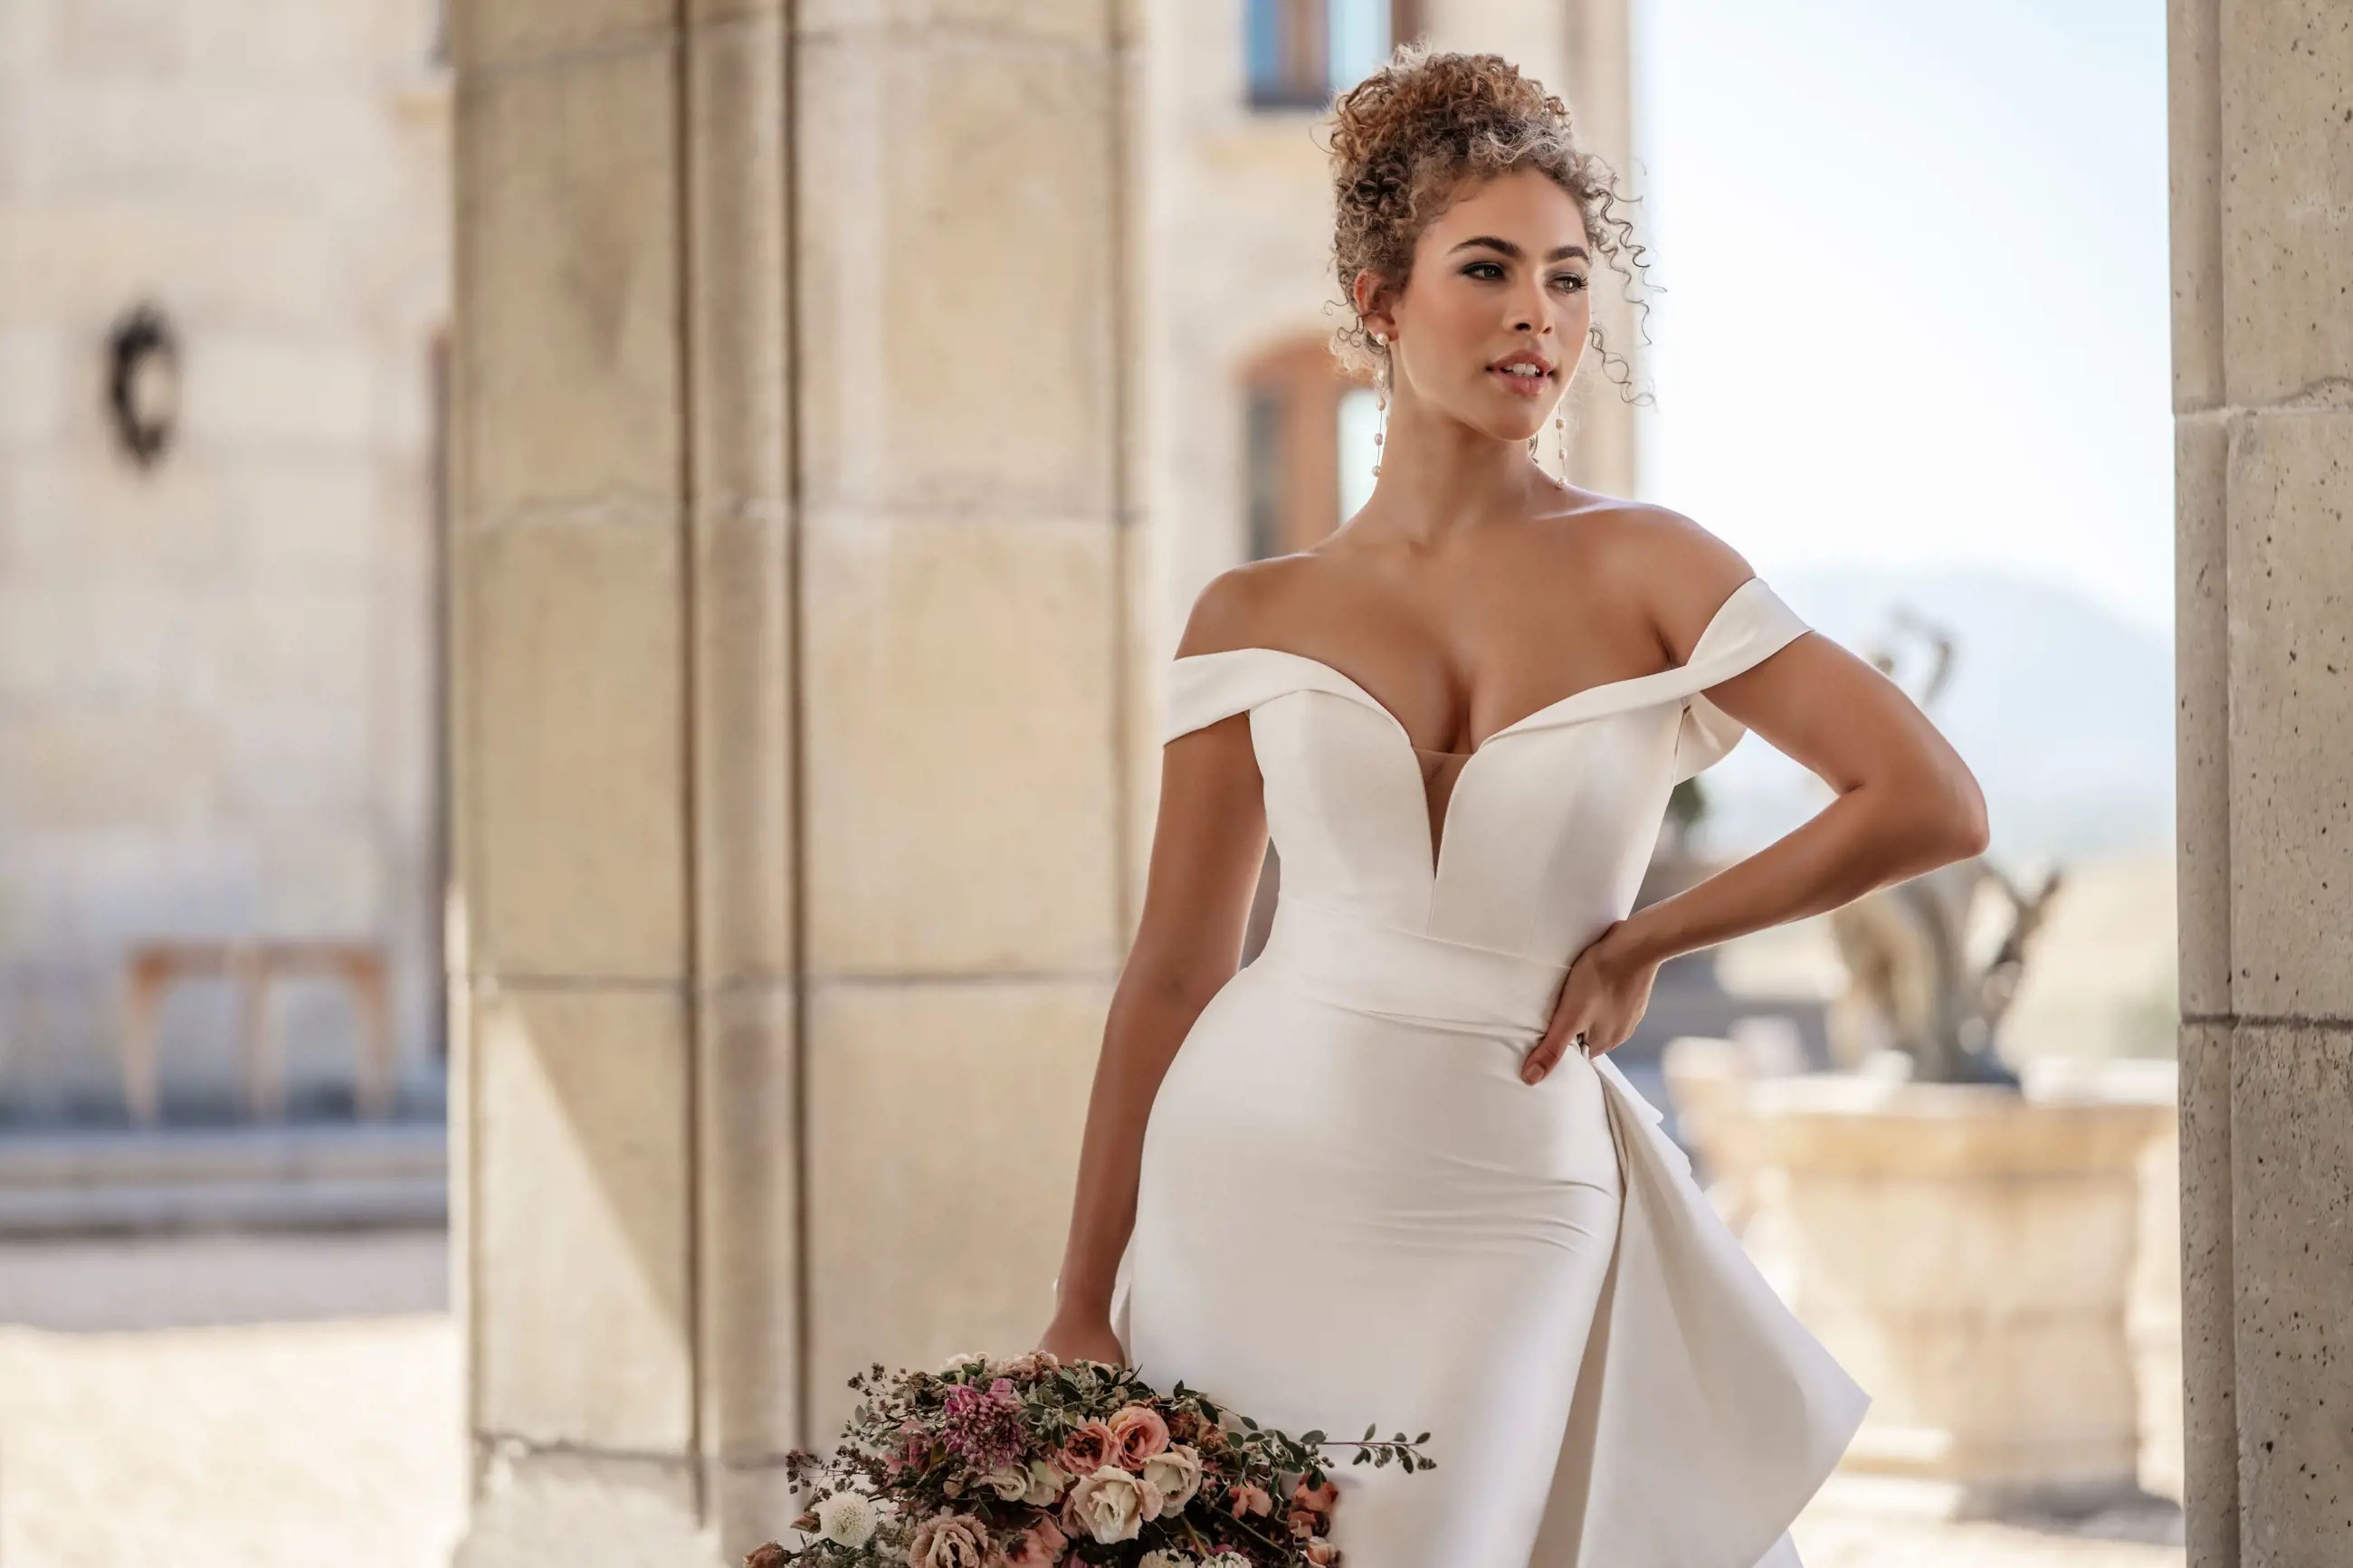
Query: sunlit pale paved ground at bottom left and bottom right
{"type": "Point", "coordinates": [291, 1402]}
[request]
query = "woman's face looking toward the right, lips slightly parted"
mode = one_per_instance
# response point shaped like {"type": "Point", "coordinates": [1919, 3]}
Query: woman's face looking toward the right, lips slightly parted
{"type": "Point", "coordinates": [1500, 279]}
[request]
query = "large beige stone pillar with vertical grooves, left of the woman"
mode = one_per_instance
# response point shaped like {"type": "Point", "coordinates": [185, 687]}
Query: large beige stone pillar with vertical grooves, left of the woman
{"type": "Point", "coordinates": [794, 723]}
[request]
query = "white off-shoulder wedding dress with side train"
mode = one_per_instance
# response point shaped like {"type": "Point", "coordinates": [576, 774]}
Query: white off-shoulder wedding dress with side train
{"type": "Point", "coordinates": [1352, 1207]}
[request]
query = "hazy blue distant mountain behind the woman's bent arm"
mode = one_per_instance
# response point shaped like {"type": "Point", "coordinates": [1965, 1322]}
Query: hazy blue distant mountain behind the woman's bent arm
{"type": "Point", "coordinates": [2060, 706]}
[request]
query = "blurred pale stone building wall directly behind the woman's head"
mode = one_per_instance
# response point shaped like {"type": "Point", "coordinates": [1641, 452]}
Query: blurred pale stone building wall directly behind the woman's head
{"type": "Point", "coordinates": [1239, 255]}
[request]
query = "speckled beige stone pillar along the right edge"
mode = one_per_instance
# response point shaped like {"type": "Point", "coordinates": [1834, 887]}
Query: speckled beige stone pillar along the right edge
{"type": "Point", "coordinates": [2262, 257]}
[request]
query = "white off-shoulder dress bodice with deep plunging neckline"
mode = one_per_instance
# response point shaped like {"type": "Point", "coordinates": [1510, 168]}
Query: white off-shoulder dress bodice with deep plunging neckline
{"type": "Point", "coordinates": [1547, 826]}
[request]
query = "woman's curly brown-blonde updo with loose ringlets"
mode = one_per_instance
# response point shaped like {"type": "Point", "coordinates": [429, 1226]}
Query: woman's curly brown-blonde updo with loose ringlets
{"type": "Point", "coordinates": [1422, 128]}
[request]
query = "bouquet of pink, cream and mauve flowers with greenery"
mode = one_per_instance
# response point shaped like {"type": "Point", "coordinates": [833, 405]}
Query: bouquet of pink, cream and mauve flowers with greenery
{"type": "Point", "coordinates": [1032, 1461]}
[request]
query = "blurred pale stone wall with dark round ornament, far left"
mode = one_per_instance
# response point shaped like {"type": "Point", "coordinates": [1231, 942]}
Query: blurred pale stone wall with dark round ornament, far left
{"type": "Point", "coordinates": [215, 676]}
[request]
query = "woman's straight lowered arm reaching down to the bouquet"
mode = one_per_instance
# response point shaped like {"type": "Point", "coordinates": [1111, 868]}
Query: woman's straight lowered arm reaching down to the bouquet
{"type": "Point", "coordinates": [1208, 845]}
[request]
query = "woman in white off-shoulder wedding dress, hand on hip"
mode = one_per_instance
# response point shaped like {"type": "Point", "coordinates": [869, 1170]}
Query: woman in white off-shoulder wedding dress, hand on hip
{"type": "Point", "coordinates": [1387, 1174]}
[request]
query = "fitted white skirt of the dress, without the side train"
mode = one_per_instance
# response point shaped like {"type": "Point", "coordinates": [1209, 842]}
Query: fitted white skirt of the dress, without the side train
{"type": "Point", "coordinates": [1354, 1217]}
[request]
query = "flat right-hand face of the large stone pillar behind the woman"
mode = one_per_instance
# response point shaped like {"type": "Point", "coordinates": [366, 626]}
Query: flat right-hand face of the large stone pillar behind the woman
{"type": "Point", "coordinates": [973, 728]}
